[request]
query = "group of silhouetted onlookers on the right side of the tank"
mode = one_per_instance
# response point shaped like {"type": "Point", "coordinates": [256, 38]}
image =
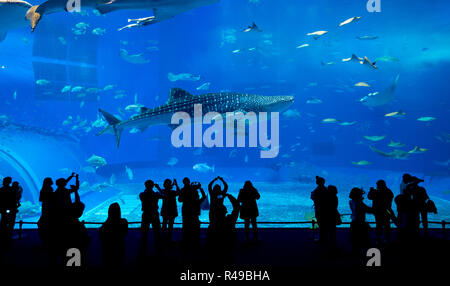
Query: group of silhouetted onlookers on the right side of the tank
{"type": "Point", "coordinates": [413, 205]}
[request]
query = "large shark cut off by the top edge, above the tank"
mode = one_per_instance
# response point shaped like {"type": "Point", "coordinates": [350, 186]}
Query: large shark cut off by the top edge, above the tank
{"type": "Point", "coordinates": [162, 9]}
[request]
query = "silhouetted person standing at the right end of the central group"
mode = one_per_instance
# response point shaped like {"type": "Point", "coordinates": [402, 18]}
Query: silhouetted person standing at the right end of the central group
{"type": "Point", "coordinates": [249, 209]}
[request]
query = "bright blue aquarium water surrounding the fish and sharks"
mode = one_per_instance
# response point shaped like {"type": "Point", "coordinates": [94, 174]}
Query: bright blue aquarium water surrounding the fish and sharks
{"type": "Point", "coordinates": [201, 42]}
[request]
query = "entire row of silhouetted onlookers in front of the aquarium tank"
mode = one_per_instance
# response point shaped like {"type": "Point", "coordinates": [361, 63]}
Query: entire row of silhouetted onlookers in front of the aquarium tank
{"type": "Point", "coordinates": [60, 227]}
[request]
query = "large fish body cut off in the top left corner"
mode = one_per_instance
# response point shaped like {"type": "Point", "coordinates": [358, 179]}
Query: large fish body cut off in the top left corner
{"type": "Point", "coordinates": [12, 15]}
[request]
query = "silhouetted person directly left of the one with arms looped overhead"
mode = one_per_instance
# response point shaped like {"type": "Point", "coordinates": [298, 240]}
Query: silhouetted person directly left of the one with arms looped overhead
{"type": "Point", "coordinates": [191, 210]}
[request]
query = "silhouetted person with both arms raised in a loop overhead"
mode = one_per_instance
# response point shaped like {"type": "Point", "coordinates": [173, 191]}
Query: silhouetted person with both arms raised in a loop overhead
{"type": "Point", "coordinates": [217, 195]}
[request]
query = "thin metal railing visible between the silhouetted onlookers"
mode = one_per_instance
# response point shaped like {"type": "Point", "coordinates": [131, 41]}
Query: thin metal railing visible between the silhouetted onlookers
{"type": "Point", "coordinates": [313, 224]}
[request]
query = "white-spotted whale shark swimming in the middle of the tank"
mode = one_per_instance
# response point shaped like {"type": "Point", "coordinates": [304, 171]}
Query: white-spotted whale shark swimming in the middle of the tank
{"type": "Point", "coordinates": [182, 101]}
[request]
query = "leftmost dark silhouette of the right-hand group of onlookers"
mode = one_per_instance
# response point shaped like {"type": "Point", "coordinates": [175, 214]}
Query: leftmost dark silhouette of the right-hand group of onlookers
{"type": "Point", "coordinates": [325, 207]}
